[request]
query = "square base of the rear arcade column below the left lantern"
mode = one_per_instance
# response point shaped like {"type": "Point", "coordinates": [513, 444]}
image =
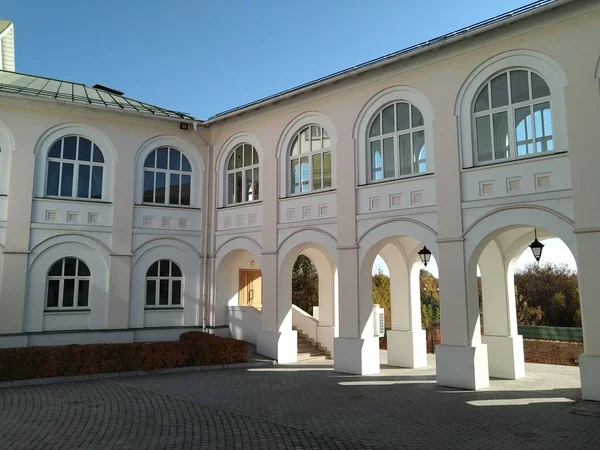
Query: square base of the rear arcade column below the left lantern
{"type": "Point", "coordinates": [407, 348]}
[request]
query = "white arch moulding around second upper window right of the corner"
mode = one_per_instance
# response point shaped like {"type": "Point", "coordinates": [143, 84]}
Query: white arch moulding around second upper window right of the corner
{"type": "Point", "coordinates": [285, 140]}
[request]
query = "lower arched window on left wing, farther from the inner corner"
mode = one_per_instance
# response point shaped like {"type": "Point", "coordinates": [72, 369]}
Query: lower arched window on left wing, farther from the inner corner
{"type": "Point", "coordinates": [68, 285]}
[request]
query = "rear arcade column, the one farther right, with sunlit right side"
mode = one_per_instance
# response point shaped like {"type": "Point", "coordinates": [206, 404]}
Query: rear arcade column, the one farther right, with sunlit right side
{"type": "Point", "coordinates": [505, 347]}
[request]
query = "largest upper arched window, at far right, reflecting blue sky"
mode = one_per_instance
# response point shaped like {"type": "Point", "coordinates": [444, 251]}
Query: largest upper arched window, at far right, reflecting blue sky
{"type": "Point", "coordinates": [512, 117]}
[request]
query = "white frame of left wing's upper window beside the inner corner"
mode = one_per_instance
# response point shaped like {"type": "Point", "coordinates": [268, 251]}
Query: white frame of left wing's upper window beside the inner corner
{"type": "Point", "coordinates": [168, 172]}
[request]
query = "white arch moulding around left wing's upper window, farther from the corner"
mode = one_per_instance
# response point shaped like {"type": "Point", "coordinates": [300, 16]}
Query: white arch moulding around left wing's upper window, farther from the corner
{"type": "Point", "coordinates": [51, 135]}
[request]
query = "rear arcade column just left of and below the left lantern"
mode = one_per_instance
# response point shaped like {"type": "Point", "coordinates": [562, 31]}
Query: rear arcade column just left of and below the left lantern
{"type": "Point", "coordinates": [406, 341]}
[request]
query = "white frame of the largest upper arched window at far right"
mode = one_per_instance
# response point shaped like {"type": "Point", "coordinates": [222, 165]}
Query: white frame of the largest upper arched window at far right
{"type": "Point", "coordinates": [510, 109]}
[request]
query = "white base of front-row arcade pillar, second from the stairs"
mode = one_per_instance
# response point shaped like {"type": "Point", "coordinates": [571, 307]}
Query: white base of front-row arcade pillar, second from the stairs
{"type": "Point", "coordinates": [356, 356]}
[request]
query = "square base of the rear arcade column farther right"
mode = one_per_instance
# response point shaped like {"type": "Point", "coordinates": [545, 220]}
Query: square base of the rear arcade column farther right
{"type": "Point", "coordinates": [505, 356]}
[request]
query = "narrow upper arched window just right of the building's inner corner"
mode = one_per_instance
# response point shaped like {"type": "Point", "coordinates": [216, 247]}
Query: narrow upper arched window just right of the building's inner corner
{"type": "Point", "coordinates": [242, 175]}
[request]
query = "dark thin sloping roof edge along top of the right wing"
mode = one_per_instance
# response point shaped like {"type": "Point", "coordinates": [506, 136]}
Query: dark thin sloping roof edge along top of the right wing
{"type": "Point", "coordinates": [476, 28]}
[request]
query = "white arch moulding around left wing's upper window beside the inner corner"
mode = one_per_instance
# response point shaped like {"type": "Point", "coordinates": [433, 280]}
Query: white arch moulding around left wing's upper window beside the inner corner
{"type": "Point", "coordinates": [191, 152]}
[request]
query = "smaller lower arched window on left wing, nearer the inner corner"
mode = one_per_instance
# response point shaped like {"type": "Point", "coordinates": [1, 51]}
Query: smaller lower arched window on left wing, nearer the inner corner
{"type": "Point", "coordinates": [163, 284]}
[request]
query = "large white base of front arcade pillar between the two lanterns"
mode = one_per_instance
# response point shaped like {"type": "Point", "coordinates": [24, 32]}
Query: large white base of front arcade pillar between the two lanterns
{"type": "Point", "coordinates": [462, 367]}
